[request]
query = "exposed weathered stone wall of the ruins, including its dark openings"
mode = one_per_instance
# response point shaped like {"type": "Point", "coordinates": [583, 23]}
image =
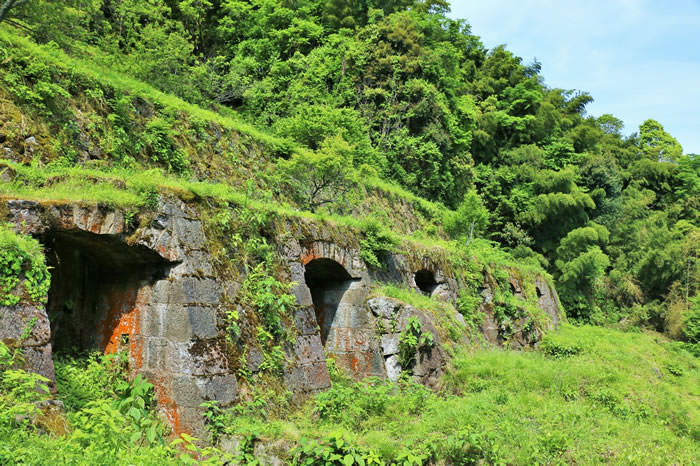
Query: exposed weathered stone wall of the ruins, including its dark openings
{"type": "Point", "coordinates": [153, 292]}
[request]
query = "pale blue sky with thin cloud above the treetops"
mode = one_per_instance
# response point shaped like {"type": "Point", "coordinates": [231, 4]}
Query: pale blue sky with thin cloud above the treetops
{"type": "Point", "coordinates": [639, 59]}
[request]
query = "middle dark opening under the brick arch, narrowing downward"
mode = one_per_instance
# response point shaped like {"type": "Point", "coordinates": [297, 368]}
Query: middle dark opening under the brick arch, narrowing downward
{"type": "Point", "coordinates": [328, 282]}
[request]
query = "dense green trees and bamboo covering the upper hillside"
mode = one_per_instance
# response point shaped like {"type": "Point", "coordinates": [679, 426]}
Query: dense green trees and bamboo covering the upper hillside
{"type": "Point", "coordinates": [399, 88]}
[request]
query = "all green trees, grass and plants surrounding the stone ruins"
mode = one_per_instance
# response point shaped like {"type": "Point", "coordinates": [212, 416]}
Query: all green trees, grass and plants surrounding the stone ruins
{"type": "Point", "coordinates": [386, 118]}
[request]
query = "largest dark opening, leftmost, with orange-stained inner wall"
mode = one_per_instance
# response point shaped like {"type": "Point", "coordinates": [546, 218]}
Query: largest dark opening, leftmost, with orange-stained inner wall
{"type": "Point", "coordinates": [95, 281]}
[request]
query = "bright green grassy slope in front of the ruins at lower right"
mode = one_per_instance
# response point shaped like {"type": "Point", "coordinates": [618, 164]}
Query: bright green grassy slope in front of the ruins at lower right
{"type": "Point", "coordinates": [625, 398]}
